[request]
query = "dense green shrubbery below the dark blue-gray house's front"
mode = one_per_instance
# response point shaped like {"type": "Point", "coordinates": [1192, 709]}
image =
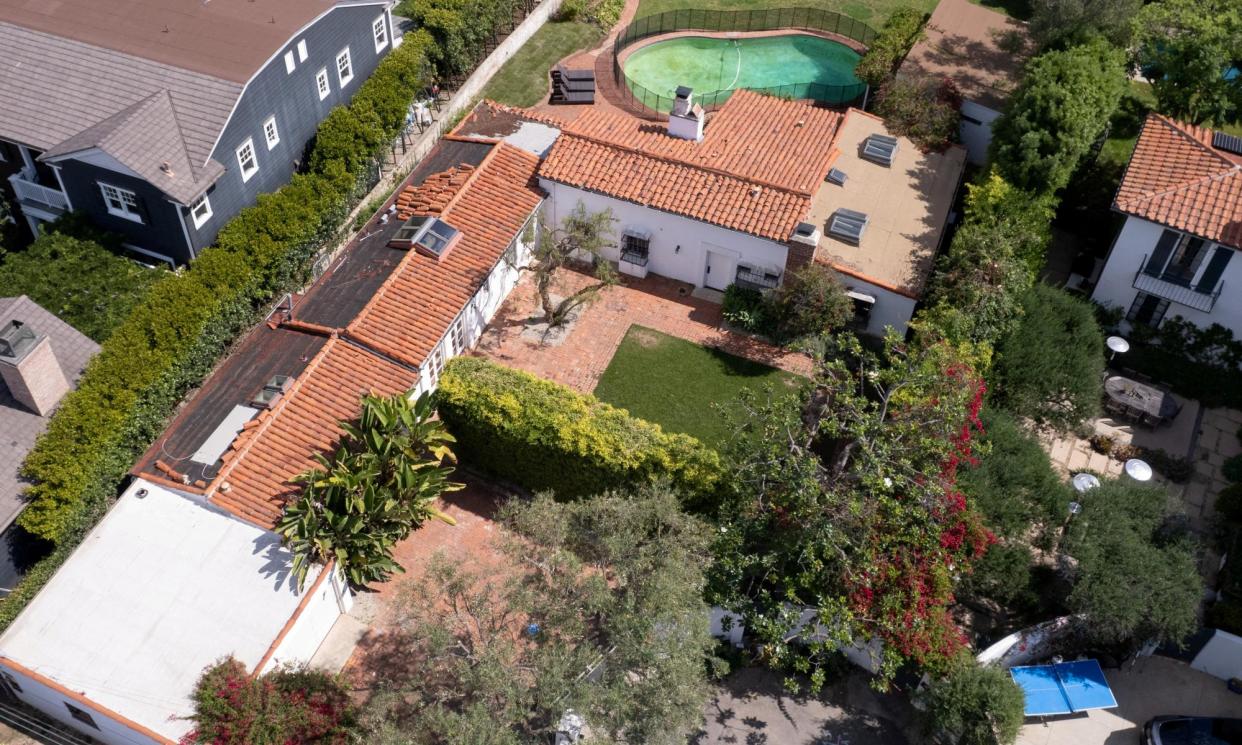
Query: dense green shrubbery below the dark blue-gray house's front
{"type": "Point", "coordinates": [84, 284]}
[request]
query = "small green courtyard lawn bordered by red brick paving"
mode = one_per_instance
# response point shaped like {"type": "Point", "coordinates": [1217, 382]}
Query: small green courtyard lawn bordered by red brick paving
{"type": "Point", "coordinates": [675, 383]}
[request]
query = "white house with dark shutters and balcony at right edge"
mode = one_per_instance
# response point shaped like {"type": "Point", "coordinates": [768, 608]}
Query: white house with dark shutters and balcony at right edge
{"type": "Point", "coordinates": [1177, 254]}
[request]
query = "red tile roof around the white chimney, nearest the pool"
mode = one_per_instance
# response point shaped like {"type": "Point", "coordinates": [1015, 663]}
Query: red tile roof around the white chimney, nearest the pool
{"type": "Point", "coordinates": [756, 171]}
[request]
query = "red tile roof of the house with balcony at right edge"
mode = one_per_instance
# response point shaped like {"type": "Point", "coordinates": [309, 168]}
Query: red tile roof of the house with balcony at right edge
{"type": "Point", "coordinates": [1177, 178]}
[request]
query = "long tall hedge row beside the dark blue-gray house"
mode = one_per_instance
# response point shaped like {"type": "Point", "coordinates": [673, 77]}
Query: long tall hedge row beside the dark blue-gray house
{"type": "Point", "coordinates": [176, 336]}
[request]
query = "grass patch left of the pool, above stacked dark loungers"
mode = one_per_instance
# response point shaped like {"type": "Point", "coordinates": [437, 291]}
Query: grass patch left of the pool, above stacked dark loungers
{"type": "Point", "coordinates": [524, 81]}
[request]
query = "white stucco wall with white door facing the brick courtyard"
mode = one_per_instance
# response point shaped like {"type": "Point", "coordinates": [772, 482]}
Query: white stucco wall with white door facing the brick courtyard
{"type": "Point", "coordinates": [679, 245]}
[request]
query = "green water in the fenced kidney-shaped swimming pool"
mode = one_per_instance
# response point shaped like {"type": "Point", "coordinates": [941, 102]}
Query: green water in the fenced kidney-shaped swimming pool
{"type": "Point", "coordinates": [793, 65]}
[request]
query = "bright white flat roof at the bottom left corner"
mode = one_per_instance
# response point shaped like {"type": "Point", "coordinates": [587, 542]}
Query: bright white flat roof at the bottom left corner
{"type": "Point", "coordinates": [161, 589]}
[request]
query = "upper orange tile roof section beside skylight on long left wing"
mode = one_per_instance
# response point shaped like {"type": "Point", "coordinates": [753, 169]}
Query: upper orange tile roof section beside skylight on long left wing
{"type": "Point", "coordinates": [418, 304]}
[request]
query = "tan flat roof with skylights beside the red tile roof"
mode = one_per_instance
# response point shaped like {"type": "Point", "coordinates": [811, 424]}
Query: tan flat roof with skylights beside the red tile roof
{"type": "Point", "coordinates": [907, 203]}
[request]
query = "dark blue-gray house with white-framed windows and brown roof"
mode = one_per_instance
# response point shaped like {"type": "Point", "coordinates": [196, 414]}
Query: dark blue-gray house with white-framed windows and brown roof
{"type": "Point", "coordinates": [163, 121]}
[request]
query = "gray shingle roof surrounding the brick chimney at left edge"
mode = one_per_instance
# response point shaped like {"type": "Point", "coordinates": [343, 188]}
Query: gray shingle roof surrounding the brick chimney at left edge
{"type": "Point", "coordinates": [19, 427]}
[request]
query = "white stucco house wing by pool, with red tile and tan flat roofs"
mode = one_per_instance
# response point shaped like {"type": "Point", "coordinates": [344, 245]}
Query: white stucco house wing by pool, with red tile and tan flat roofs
{"type": "Point", "coordinates": [750, 198]}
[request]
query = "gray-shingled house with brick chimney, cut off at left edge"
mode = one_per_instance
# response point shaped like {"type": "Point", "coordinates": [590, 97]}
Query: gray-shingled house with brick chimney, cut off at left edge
{"type": "Point", "coordinates": [40, 362]}
